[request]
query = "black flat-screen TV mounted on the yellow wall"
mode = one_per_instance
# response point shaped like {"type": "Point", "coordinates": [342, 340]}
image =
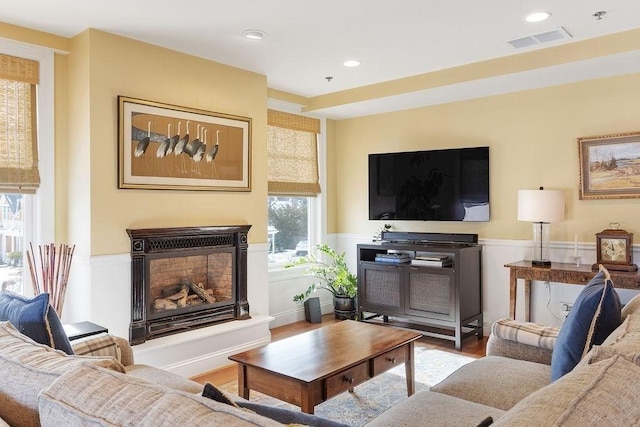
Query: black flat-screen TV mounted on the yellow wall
{"type": "Point", "coordinates": [434, 185]}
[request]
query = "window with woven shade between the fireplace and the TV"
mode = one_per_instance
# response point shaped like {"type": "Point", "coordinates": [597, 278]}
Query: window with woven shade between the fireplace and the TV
{"type": "Point", "coordinates": [292, 169]}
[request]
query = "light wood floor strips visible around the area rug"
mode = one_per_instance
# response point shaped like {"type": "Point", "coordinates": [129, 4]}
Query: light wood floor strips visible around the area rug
{"type": "Point", "coordinates": [471, 346]}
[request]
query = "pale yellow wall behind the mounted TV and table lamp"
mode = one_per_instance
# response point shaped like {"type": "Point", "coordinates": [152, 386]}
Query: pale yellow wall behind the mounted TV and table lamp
{"type": "Point", "coordinates": [532, 139]}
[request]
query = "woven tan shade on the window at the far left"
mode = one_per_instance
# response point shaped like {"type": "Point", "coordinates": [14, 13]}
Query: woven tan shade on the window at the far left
{"type": "Point", "coordinates": [18, 136]}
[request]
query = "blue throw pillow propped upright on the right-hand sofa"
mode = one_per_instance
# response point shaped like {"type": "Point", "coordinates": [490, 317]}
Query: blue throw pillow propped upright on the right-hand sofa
{"type": "Point", "coordinates": [595, 314]}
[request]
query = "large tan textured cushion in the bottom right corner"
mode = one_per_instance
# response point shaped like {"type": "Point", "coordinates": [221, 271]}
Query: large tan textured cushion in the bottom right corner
{"type": "Point", "coordinates": [601, 394]}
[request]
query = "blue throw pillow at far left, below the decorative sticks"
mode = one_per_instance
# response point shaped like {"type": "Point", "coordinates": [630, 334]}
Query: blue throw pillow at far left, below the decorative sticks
{"type": "Point", "coordinates": [35, 318]}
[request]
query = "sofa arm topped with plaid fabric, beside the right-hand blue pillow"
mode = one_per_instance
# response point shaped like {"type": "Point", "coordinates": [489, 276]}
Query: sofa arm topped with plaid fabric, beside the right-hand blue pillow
{"type": "Point", "coordinates": [522, 340]}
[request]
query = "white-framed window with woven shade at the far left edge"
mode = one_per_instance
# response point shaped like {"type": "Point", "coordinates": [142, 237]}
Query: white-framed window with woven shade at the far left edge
{"type": "Point", "coordinates": [26, 206]}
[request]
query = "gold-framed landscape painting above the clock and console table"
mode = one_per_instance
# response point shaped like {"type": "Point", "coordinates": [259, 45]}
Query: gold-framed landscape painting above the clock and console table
{"type": "Point", "coordinates": [609, 166]}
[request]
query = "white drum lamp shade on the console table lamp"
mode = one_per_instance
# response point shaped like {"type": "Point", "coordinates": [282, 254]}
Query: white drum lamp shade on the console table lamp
{"type": "Point", "coordinates": [540, 205]}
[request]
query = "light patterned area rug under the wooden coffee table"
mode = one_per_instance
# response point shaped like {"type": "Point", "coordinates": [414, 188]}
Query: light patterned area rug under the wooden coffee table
{"type": "Point", "coordinates": [375, 396]}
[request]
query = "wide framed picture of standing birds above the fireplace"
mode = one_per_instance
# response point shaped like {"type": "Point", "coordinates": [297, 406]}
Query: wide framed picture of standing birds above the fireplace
{"type": "Point", "coordinates": [169, 147]}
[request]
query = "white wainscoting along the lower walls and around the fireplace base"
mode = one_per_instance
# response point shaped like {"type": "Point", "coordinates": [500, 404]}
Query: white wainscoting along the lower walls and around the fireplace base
{"type": "Point", "coordinates": [106, 300]}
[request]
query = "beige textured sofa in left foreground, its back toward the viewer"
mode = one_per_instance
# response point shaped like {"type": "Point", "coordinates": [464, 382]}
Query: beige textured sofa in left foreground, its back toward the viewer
{"type": "Point", "coordinates": [100, 385]}
